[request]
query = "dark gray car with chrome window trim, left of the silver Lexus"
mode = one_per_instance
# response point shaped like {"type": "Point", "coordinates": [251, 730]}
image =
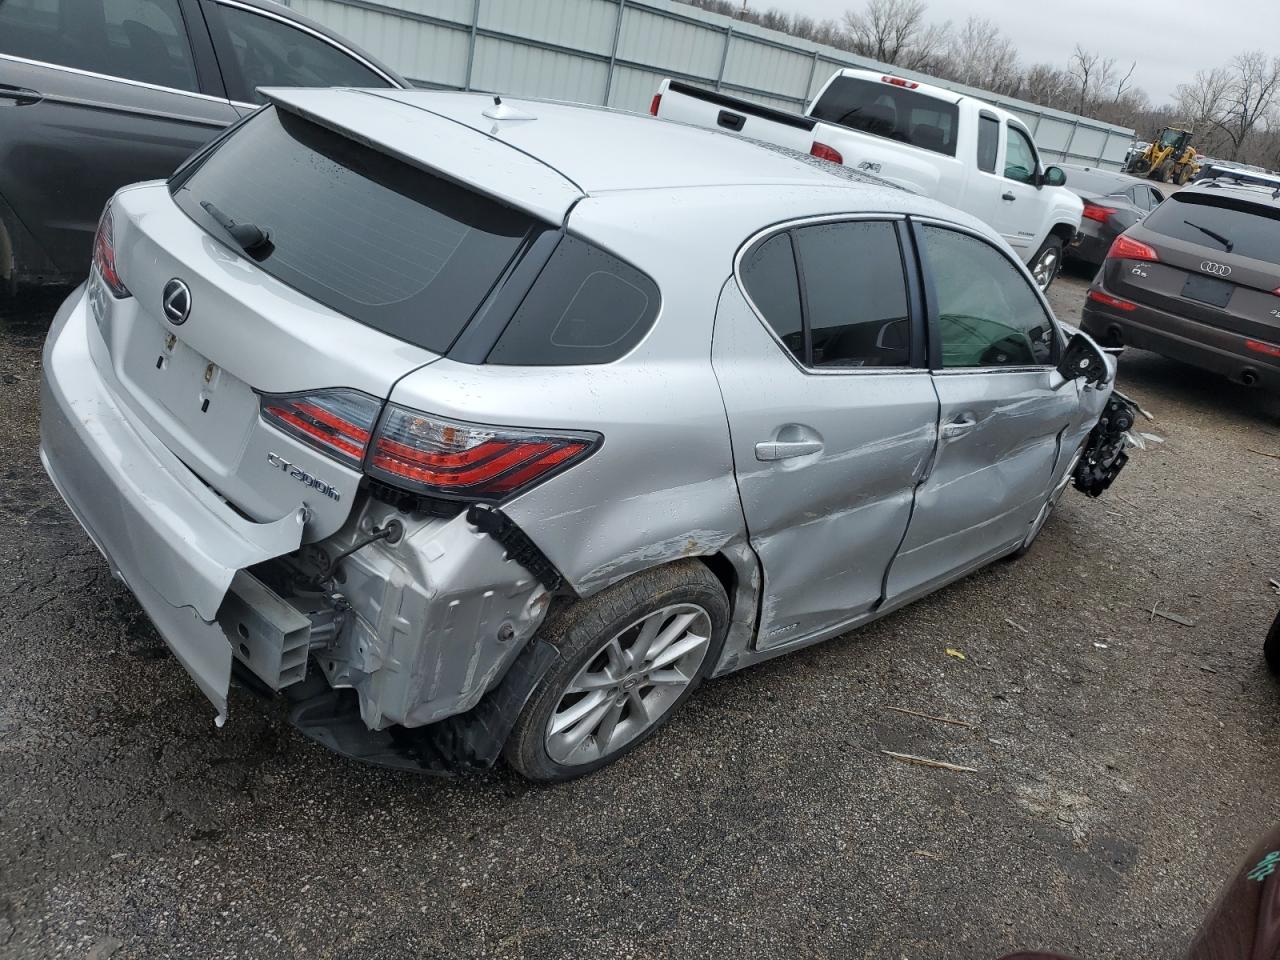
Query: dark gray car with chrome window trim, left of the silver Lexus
{"type": "Point", "coordinates": [98, 94]}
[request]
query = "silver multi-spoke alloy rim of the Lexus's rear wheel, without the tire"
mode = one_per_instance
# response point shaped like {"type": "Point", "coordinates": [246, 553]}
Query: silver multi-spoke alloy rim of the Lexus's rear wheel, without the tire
{"type": "Point", "coordinates": [629, 685]}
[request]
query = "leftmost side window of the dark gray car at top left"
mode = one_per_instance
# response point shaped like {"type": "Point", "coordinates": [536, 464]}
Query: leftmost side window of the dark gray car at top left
{"type": "Point", "coordinates": [139, 40]}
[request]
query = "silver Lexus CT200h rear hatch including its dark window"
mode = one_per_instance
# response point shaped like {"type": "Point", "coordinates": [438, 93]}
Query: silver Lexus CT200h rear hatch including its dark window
{"type": "Point", "coordinates": [371, 269]}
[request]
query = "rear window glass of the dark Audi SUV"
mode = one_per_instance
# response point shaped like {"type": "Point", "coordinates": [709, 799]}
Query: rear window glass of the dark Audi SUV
{"type": "Point", "coordinates": [1241, 227]}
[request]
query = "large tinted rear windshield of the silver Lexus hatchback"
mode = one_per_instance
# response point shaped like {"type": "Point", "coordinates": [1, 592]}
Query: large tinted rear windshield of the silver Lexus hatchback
{"type": "Point", "coordinates": [383, 243]}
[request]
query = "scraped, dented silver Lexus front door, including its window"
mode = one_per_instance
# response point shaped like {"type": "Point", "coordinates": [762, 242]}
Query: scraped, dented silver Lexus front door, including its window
{"type": "Point", "coordinates": [1004, 412]}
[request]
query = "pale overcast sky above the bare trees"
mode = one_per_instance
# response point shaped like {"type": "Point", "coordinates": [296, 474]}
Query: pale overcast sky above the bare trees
{"type": "Point", "coordinates": [1171, 42]}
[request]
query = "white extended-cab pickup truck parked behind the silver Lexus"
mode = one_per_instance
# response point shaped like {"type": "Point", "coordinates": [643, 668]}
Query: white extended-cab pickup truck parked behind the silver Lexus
{"type": "Point", "coordinates": [929, 140]}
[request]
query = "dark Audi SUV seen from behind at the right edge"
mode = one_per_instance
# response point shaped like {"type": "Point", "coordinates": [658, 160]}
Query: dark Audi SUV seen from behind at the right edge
{"type": "Point", "coordinates": [1199, 281]}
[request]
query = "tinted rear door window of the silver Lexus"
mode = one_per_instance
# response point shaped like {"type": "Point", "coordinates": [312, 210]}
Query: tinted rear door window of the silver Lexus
{"type": "Point", "coordinates": [853, 312]}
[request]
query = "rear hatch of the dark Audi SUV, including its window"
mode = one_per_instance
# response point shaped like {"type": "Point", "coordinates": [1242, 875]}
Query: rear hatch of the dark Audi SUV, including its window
{"type": "Point", "coordinates": [1219, 262]}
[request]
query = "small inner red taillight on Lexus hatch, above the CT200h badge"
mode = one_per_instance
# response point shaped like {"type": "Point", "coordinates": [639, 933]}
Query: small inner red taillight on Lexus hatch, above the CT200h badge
{"type": "Point", "coordinates": [339, 423]}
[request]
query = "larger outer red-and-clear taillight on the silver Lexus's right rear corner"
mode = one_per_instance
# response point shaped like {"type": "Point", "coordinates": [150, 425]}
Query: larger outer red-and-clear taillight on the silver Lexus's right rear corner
{"type": "Point", "coordinates": [442, 458]}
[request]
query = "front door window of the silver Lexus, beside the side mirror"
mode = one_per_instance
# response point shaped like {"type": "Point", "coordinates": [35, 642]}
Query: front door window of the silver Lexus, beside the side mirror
{"type": "Point", "coordinates": [989, 314]}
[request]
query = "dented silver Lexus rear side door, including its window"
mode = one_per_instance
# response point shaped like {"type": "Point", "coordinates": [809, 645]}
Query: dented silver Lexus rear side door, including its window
{"type": "Point", "coordinates": [820, 355]}
